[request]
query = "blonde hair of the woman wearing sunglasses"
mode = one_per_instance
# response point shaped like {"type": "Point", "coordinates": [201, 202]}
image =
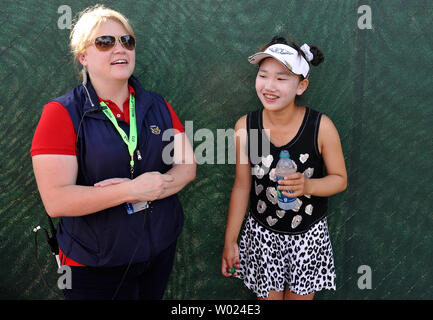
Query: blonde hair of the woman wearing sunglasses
{"type": "Point", "coordinates": [88, 22]}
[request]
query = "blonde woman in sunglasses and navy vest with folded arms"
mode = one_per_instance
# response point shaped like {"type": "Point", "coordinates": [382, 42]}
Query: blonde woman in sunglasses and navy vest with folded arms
{"type": "Point", "coordinates": [98, 161]}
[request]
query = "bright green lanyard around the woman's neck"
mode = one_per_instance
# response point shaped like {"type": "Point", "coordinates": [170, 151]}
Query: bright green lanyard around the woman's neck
{"type": "Point", "coordinates": [131, 142]}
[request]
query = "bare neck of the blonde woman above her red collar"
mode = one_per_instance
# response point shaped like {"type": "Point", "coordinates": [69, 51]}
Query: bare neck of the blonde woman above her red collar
{"type": "Point", "coordinates": [116, 91]}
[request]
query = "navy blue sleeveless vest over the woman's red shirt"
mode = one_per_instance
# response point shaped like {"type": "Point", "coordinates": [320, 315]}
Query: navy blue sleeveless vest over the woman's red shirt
{"type": "Point", "coordinates": [111, 237]}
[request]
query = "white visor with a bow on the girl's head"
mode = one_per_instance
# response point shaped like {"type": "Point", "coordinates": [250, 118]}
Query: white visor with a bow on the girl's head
{"type": "Point", "coordinates": [286, 55]}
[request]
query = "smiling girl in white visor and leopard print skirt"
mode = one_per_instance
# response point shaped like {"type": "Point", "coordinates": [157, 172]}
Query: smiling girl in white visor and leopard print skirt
{"type": "Point", "coordinates": [283, 254]}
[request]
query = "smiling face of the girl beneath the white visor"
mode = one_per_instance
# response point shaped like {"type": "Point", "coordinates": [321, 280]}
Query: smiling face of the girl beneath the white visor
{"type": "Point", "coordinates": [276, 86]}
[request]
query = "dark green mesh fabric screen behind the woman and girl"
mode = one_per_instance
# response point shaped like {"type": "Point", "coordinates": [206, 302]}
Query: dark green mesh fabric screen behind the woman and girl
{"type": "Point", "coordinates": [376, 85]}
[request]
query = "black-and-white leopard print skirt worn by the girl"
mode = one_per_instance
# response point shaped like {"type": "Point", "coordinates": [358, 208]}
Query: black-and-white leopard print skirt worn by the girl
{"type": "Point", "coordinates": [270, 261]}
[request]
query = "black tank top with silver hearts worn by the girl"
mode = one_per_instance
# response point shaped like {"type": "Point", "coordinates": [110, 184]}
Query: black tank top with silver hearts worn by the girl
{"type": "Point", "coordinates": [263, 156]}
